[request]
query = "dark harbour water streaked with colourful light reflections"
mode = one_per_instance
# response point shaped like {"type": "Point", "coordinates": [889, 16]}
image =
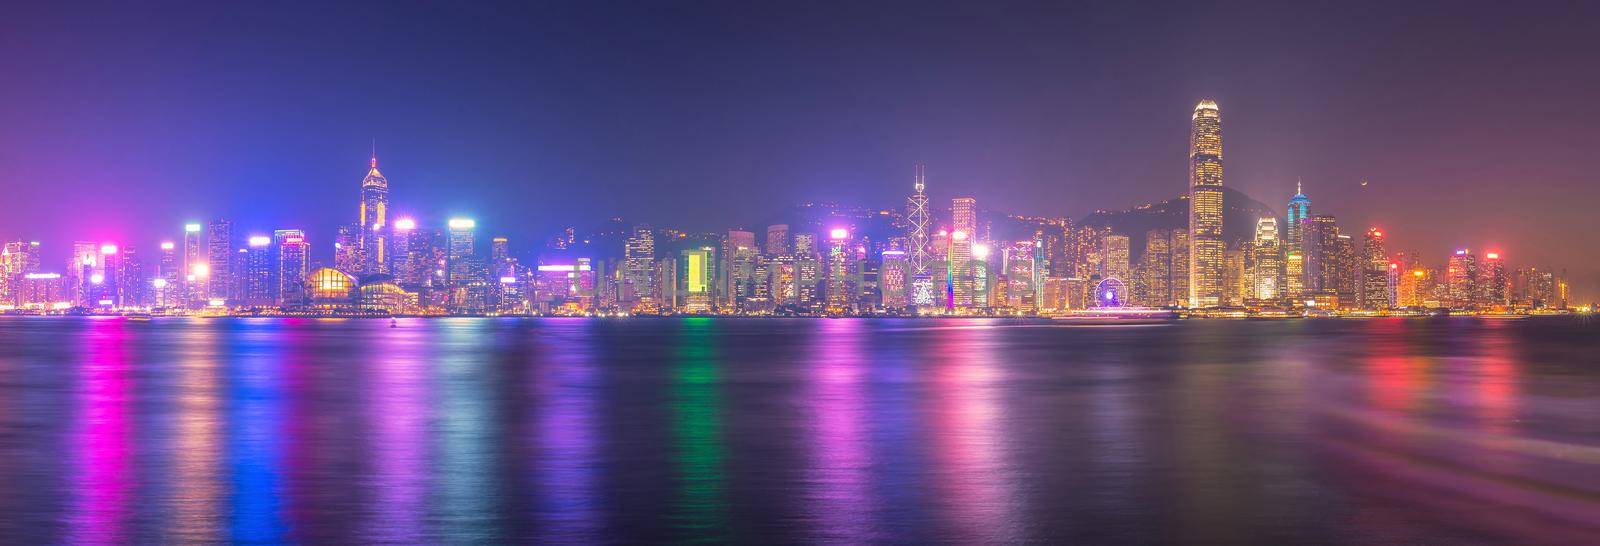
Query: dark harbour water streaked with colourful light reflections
{"type": "Point", "coordinates": [1414, 432]}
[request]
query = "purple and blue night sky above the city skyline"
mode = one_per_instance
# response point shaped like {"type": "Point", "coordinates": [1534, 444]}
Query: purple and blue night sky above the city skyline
{"type": "Point", "coordinates": [1476, 122]}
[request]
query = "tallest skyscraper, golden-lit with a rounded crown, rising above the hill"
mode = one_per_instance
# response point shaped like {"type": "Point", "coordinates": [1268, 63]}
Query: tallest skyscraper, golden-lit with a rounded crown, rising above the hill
{"type": "Point", "coordinates": [1206, 207]}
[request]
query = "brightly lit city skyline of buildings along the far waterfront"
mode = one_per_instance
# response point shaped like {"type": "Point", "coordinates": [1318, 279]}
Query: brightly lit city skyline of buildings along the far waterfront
{"type": "Point", "coordinates": [842, 263]}
